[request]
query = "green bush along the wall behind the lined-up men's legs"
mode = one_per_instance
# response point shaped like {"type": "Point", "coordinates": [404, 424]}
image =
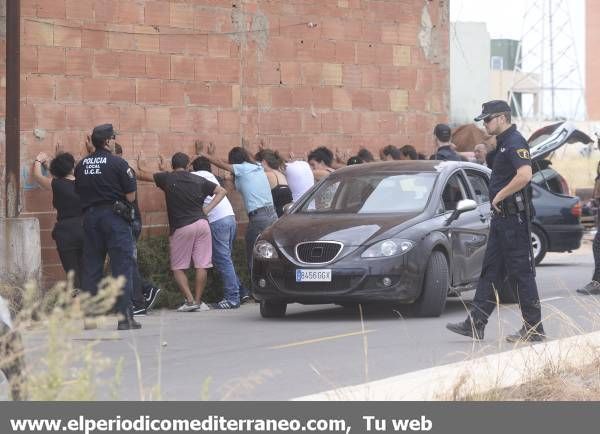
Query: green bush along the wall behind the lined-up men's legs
{"type": "Point", "coordinates": [153, 260]}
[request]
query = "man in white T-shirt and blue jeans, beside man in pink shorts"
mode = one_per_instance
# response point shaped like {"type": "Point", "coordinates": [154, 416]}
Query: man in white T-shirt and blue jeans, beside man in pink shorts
{"type": "Point", "coordinates": [223, 228]}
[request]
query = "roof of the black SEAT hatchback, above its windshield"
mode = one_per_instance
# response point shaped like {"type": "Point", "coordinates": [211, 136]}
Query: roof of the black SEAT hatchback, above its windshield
{"type": "Point", "coordinates": [400, 166]}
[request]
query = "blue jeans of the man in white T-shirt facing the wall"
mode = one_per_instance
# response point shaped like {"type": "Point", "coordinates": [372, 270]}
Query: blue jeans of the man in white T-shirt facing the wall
{"type": "Point", "coordinates": [223, 235]}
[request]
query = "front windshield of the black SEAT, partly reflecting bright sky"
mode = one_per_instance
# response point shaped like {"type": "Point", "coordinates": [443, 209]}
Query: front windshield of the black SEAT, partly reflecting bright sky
{"type": "Point", "coordinates": [374, 193]}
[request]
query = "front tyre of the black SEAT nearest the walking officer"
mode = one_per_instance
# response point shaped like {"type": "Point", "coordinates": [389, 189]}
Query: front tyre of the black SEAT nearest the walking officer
{"type": "Point", "coordinates": [432, 301]}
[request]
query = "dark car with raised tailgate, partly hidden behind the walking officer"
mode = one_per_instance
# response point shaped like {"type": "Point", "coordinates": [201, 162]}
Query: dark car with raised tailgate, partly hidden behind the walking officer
{"type": "Point", "coordinates": [557, 225]}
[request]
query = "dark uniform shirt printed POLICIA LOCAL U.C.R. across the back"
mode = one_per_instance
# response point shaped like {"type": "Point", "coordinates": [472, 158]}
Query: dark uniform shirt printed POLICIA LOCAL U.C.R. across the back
{"type": "Point", "coordinates": [102, 178]}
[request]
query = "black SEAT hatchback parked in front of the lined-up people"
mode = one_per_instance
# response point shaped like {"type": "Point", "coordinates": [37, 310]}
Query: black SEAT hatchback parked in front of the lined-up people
{"type": "Point", "coordinates": [400, 232]}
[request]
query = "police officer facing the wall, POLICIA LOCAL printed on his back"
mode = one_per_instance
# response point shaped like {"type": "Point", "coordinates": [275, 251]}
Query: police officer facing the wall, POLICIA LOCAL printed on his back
{"type": "Point", "coordinates": [107, 187]}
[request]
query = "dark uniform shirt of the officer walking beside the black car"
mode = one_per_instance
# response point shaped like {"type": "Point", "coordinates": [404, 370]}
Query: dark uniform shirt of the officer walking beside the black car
{"type": "Point", "coordinates": [512, 152]}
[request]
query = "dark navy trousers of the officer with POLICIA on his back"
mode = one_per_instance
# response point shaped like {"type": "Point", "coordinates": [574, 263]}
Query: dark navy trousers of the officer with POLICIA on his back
{"type": "Point", "coordinates": [105, 232]}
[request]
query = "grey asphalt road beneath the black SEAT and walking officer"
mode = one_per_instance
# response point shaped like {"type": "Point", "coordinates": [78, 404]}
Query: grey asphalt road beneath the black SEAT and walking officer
{"type": "Point", "coordinates": [237, 355]}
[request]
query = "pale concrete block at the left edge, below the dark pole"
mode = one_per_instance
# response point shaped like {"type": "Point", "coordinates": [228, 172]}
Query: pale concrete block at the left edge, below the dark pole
{"type": "Point", "coordinates": [20, 251]}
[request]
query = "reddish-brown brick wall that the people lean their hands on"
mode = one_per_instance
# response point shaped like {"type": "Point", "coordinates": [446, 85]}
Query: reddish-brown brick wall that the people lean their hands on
{"type": "Point", "coordinates": [294, 73]}
